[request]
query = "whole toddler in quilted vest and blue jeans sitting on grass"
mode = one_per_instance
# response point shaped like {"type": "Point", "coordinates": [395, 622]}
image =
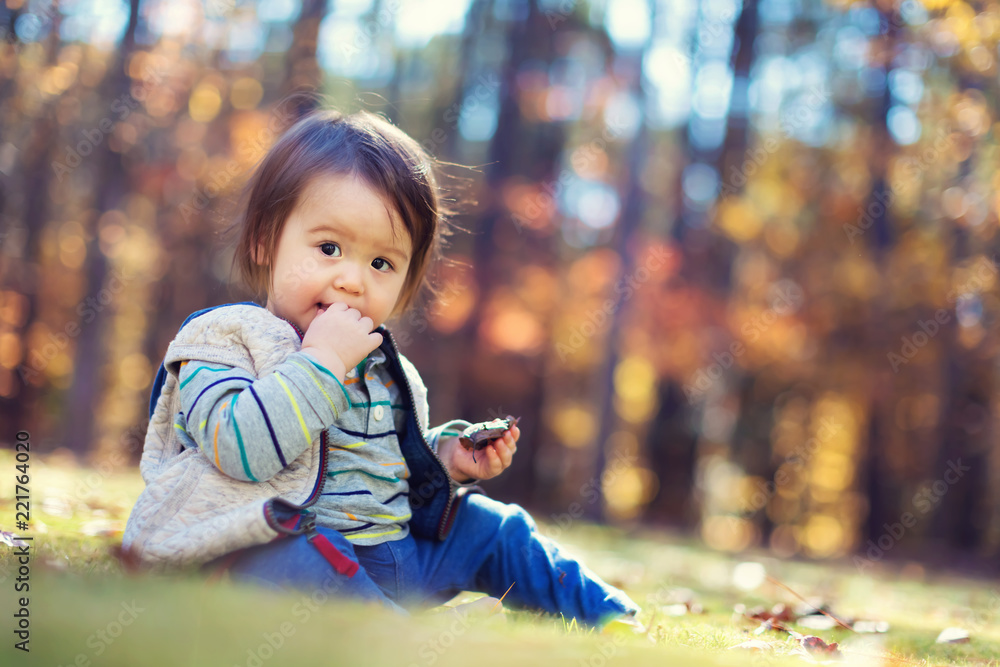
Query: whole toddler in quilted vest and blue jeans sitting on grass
{"type": "Point", "coordinates": [290, 443]}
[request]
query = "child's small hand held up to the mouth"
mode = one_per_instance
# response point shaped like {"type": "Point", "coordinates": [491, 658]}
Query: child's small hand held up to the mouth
{"type": "Point", "coordinates": [339, 337]}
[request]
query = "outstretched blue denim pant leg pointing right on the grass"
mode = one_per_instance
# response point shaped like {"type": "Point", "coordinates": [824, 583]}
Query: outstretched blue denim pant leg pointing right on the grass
{"type": "Point", "coordinates": [493, 545]}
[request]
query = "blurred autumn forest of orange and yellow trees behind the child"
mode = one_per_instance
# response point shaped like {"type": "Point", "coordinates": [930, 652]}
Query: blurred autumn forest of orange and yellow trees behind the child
{"type": "Point", "coordinates": [734, 265]}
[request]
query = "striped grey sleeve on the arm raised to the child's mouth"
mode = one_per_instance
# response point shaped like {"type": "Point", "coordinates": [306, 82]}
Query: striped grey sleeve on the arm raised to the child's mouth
{"type": "Point", "coordinates": [253, 428]}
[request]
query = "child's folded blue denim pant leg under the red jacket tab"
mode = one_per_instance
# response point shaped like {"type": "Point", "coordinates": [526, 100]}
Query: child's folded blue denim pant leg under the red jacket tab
{"type": "Point", "coordinates": [293, 563]}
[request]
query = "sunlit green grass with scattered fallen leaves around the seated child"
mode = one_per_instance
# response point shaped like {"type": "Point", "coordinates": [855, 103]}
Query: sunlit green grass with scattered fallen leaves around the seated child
{"type": "Point", "coordinates": [85, 611]}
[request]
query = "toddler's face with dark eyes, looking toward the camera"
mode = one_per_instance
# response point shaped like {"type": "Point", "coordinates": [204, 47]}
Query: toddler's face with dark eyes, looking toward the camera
{"type": "Point", "coordinates": [338, 246]}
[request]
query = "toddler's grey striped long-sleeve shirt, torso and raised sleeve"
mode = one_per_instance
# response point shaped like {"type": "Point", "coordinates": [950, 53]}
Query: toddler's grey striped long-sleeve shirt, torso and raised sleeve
{"type": "Point", "coordinates": [252, 428]}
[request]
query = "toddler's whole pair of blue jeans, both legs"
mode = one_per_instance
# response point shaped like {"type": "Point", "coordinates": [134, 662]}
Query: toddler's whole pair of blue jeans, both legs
{"type": "Point", "coordinates": [491, 546]}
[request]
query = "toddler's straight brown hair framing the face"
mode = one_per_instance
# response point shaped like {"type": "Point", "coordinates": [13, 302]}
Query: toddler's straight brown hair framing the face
{"type": "Point", "coordinates": [362, 145]}
